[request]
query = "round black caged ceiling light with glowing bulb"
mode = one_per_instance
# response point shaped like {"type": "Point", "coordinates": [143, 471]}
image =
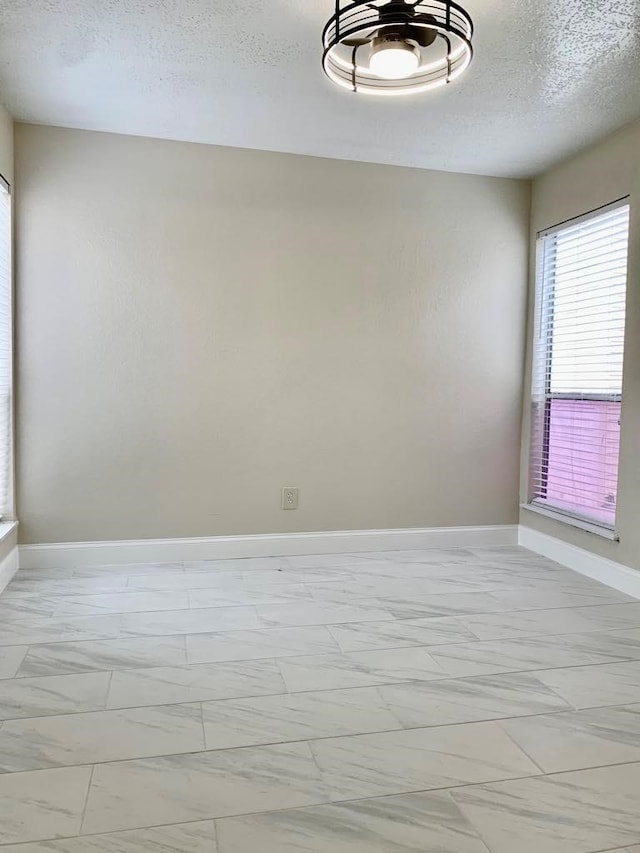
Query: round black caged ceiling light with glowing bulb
{"type": "Point", "coordinates": [394, 47]}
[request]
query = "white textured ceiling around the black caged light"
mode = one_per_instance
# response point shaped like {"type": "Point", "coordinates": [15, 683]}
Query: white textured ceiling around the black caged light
{"type": "Point", "coordinates": [549, 76]}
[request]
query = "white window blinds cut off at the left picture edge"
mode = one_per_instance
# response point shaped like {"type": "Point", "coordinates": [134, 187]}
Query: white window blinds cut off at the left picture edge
{"type": "Point", "coordinates": [6, 465]}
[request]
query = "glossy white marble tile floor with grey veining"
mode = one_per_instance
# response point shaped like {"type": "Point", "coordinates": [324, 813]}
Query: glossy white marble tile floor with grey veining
{"type": "Point", "coordinates": [480, 700]}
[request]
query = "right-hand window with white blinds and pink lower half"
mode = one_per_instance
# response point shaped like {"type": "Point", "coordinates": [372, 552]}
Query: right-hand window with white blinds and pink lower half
{"type": "Point", "coordinates": [577, 365]}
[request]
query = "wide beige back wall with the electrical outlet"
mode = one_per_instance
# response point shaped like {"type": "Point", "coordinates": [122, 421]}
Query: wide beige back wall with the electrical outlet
{"type": "Point", "coordinates": [200, 326]}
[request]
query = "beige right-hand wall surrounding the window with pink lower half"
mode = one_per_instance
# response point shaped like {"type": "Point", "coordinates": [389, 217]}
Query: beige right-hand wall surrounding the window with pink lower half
{"type": "Point", "coordinates": [600, 175]}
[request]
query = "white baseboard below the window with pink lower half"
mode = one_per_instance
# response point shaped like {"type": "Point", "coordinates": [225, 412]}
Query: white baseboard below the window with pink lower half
{"type": "Point", "coordinates": [601, 569]}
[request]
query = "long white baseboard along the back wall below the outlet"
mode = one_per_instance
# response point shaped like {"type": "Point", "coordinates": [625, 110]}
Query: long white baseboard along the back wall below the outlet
{"type": "Point", "coordinates": [70, 554]}
